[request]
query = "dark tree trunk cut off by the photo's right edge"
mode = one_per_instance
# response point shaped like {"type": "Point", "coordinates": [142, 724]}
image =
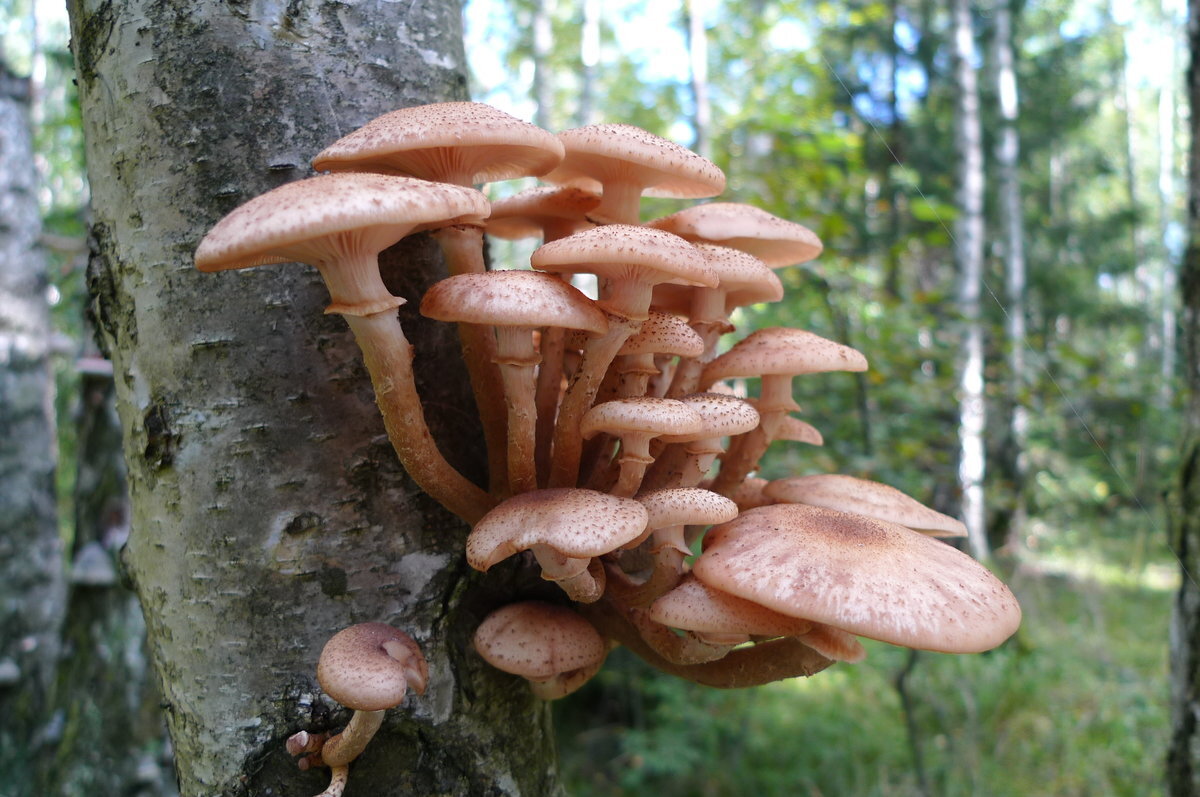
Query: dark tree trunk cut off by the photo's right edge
{"type": "Point", "coordinates": [1184, 758]}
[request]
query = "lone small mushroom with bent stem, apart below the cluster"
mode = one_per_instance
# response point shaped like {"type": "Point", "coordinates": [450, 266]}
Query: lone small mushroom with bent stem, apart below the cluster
{"type": "Point", "coordinates": [369, 668]}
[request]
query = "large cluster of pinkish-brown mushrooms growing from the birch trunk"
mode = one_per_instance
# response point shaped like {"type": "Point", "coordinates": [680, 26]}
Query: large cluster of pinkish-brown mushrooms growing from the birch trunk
{"type": "Point", "coordinates": [605, 417]}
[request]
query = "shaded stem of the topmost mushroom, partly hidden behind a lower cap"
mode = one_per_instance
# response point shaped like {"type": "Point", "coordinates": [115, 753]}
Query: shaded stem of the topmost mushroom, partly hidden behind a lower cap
{"type": "Point", "coordinates": [463, 248]}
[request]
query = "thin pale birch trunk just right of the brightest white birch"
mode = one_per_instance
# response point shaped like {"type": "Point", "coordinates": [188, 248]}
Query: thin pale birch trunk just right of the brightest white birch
{"type": "Point", "coordinates": [1009, 151]}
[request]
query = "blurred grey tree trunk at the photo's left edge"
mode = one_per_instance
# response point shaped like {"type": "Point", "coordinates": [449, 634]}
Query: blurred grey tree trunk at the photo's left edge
{"type": "Point", "coordinates": [32, 574]}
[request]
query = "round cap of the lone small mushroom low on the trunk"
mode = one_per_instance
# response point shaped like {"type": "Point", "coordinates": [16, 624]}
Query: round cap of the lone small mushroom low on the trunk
{"type": "Point", "coordinates": [371, 667]}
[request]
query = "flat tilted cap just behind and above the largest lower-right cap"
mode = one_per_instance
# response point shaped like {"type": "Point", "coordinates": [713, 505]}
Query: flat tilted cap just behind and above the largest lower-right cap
{"type": "Point", "coordinates": [865, 498]}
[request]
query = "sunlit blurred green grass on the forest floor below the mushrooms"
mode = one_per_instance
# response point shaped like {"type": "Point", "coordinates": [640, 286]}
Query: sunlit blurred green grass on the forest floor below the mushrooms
{"type": "Point", "coordinates": [1076, 704]}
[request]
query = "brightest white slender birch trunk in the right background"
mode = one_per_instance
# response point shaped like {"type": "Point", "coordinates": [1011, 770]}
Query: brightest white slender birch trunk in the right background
{"type": "Point", "coordinates": [969, 231]}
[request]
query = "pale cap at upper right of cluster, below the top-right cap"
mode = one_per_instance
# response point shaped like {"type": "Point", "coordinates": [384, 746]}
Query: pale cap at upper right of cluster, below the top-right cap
{"type": "Point", "coordinates": [776, 242]}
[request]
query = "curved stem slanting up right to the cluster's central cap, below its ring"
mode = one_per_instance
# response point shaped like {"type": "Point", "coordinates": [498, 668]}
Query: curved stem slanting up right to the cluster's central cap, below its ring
{"type": "Point", "coordinates": [598, 356]}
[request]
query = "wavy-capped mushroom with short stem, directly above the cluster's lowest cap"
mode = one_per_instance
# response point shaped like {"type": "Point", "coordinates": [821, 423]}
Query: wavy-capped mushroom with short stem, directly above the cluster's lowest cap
{"type": "Point", "coordinates": [566, 529]}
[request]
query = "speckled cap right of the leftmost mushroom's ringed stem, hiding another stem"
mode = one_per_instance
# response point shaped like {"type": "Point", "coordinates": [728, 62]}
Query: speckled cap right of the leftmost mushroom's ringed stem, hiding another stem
{"type": "Point", "coordinates": [513, 298]}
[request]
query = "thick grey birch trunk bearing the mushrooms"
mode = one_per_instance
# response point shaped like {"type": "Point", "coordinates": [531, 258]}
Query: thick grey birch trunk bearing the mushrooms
{"type": "Point", "coordinates": [268, 508]}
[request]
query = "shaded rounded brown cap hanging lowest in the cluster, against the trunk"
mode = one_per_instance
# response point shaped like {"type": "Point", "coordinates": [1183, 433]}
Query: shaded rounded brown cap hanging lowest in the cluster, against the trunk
{"type": "Point", "coordinates": [538, 642]}
